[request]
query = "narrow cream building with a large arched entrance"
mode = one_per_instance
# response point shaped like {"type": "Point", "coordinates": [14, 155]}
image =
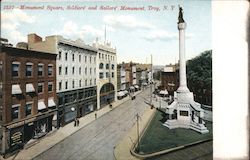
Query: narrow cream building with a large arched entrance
{"type": "Point", "coordinates": [107, 74]}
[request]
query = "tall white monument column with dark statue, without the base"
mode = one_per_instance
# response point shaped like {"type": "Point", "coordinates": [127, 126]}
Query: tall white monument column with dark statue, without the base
{"type": "Point", "coordinates": [182, 58]}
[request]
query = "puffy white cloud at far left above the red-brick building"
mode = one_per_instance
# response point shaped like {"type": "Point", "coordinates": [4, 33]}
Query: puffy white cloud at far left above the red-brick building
{"type": "Point", "coordinates": [11, 21]}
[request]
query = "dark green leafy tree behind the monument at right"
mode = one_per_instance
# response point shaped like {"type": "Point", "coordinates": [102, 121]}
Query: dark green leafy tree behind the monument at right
{"type": "Point", "coordinates": [199, 76]}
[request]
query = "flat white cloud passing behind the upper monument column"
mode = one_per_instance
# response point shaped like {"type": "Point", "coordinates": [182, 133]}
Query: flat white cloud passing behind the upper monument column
{"type": "Point", "coordinates": [163, 35]}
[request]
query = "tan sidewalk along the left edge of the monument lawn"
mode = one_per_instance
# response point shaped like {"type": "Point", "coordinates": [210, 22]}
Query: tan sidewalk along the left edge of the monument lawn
{"type": "Point", "coordinates": [122, 150]}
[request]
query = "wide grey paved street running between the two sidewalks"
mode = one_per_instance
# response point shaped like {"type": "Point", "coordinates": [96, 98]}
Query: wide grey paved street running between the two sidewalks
{"type": "Point", "coordinates": [97, 140]}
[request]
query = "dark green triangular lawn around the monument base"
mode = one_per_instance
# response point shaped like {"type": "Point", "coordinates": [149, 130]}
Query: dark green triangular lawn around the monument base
{"type": "Point", "coordinates": [158, 137]}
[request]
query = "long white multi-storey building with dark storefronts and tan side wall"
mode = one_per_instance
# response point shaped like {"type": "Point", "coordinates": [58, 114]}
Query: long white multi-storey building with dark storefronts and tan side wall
{"type": "Point", "coordinates": [76, 75]}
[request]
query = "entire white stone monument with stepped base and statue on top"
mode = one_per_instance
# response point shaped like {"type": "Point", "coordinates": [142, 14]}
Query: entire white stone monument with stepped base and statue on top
{"type": "Point", "coordinates": [184, 112]}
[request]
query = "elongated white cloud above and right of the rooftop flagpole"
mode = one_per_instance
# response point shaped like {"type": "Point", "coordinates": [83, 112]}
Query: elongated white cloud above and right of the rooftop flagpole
{"type": "Point", "coordinates": [126, 22]}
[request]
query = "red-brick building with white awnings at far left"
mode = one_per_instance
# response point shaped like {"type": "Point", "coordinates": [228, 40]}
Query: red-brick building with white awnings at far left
{"type": "Point", "coordinates": [28, 96]}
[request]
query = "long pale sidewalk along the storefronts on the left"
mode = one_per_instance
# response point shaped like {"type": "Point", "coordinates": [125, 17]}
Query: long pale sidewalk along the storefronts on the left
{"type": "Point", "coordinates": [58, 135]}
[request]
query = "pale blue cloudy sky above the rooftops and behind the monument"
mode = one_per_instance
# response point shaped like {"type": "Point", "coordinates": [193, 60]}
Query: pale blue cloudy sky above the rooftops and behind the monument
{"type": "Point", "coordinates": [135, 34]}
